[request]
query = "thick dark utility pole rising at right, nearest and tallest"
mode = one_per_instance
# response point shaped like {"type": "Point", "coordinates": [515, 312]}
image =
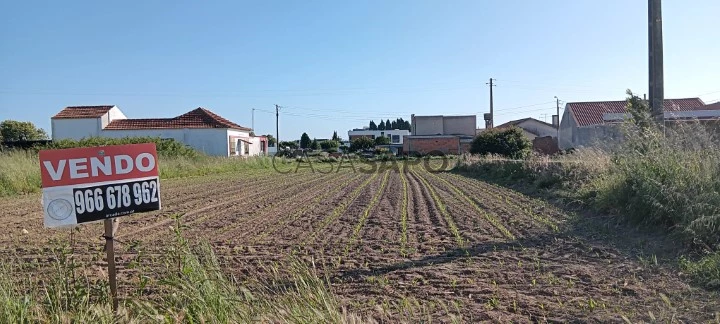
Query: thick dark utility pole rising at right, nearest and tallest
{"type": "Point", "coordinates": [655, 47]}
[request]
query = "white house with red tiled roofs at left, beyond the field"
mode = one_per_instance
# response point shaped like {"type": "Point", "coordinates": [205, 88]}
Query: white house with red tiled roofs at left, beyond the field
{"type": "Point", "coordinates": [200, 129]}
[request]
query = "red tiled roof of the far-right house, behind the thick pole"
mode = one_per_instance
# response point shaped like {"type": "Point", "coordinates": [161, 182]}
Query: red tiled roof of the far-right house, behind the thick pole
{"type": "Point", "coordinates": [591, 113]}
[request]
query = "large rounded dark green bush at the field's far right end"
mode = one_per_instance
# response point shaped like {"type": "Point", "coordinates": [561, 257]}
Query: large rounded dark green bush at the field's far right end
{"type": "Point", "coordinates": [508, 142]}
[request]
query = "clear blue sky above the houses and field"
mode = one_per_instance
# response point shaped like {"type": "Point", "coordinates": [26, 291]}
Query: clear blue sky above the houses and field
{"type": "Point", "coordinates": [334, 65]}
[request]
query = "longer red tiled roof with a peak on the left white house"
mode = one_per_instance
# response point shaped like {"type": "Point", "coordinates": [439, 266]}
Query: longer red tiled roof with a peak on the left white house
{"type": "Point", "coordinates": [198, 118]}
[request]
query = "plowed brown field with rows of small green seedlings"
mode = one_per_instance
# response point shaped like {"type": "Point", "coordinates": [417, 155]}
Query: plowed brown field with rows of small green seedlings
{"type": "Point", "coordinates": [396, 246]}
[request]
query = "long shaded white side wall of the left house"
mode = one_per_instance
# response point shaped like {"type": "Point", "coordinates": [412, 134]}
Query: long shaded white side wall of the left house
{"type": "Point", "coordinates": [211, 141]}
